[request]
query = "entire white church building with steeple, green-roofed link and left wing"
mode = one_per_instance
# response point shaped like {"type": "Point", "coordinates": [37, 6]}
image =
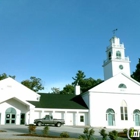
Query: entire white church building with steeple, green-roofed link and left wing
{"type": "Point", "coordinates": [115, 103]}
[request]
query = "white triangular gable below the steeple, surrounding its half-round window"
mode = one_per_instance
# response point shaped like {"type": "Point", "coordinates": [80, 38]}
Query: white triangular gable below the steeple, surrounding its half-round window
{"type": "Point", "coordinates": [112, 85]}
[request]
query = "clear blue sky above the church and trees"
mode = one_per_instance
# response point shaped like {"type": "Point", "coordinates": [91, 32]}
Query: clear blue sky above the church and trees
{"type": "Point", "coordinates": [53, 39]}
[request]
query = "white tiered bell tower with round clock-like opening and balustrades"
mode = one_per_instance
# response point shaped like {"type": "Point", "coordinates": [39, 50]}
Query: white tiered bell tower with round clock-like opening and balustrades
{"type": "Point", "coordinates": [116, 61]}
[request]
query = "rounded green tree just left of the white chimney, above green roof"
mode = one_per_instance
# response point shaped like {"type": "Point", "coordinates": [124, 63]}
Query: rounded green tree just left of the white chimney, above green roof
{"type": "Point", "coordinates": [68, 89]}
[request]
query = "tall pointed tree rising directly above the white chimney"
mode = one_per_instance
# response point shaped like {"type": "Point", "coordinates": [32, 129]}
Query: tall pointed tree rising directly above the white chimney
{"type": "Point", "coordinates": [79, 76]}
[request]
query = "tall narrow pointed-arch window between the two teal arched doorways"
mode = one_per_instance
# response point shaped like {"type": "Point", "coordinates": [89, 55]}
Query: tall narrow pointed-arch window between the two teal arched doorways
{"type": "Point", "coordinates": [123, 111]}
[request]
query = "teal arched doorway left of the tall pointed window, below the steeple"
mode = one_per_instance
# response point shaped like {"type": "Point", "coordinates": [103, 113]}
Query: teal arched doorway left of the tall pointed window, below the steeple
{"type": "Point", "coordinates": [110, 117]}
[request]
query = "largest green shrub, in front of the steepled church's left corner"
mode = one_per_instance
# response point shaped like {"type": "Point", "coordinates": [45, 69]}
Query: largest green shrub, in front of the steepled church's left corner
{"type": "Point", "coordinates": [88, 134]}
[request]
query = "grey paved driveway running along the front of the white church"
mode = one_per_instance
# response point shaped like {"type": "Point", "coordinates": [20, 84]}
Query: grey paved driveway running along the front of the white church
{"type": "Point", "coordinates": [73, 131]}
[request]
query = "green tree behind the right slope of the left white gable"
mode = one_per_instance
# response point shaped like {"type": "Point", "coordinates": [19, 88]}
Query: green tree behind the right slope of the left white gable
{"type": "Point", "coordinates": [34, 84]}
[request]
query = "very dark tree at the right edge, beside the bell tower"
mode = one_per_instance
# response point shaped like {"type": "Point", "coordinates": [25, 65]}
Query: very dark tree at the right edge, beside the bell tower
{"type": "Point", "coordinates": [136, 75]}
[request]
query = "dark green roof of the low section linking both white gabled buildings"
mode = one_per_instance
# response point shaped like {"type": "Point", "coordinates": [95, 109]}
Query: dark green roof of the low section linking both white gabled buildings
{"type": "Point", "coordinates": [60, 101]}
